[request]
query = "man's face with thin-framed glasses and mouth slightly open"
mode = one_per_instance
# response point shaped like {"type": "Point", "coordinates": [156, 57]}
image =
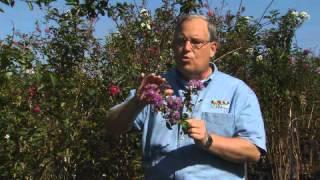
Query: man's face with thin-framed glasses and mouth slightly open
{"type": "Point", "coordinates": [192, 49]}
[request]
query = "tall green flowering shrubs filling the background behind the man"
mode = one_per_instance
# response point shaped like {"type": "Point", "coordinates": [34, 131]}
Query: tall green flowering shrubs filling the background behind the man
{"type": "Point", "coordinates": [57, 86]}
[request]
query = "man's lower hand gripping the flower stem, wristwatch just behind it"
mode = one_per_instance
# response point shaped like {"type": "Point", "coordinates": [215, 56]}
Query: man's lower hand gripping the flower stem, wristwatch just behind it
{"type": "Point", "coordinates": [198, 131]}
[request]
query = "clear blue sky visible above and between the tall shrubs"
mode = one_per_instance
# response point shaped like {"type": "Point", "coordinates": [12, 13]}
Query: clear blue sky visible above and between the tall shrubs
{"type": "Point", "coordinates": [307, 37]}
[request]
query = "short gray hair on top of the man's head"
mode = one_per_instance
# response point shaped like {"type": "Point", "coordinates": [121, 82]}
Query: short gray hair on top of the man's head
{"type": "Point", "coordinates": [211, 27]}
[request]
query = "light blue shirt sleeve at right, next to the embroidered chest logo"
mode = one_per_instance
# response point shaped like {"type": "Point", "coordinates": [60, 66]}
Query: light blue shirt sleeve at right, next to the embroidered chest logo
{"type": "Point", "coordinates": [249, 121]}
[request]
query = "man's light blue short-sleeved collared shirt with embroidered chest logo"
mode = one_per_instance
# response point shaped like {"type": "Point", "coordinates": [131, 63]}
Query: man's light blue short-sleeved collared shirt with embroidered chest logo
{"type": "Point", "coordinates": [228, 107]}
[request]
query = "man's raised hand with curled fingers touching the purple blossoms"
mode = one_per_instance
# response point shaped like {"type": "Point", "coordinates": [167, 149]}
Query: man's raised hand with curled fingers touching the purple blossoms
{"type": "Point", "coordinates": [151, 79]}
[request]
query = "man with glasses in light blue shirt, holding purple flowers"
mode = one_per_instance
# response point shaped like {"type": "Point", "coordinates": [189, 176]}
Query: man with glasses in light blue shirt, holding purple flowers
{"type": "Point", "coordinates": [226, 129]}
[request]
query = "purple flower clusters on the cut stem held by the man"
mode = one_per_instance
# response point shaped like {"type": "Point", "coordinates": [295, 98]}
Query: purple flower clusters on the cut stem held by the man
{"type": "Point", "coordinates": [170, 105]}
